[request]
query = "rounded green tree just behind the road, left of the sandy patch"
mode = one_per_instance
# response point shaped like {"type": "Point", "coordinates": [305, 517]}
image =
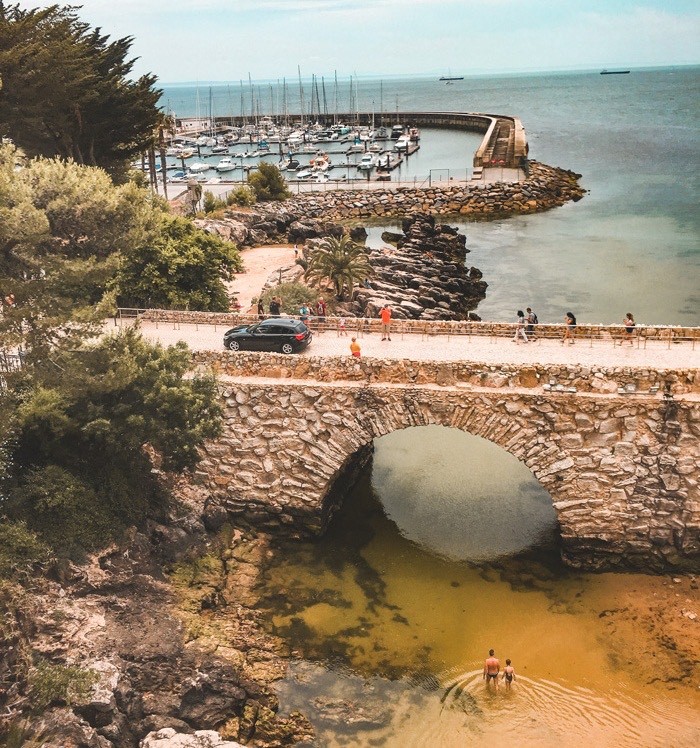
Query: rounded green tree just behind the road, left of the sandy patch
{"type": "Point", "coordinates": [181, 267]}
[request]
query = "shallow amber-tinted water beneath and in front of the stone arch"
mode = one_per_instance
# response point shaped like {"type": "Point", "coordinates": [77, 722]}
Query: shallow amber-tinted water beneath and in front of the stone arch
{"type": "Point", "coordinates": [445, 548]}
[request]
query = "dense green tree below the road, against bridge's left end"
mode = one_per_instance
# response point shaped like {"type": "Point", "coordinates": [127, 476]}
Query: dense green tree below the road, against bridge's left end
{"type": "Point", "coordinates": [88, 426]}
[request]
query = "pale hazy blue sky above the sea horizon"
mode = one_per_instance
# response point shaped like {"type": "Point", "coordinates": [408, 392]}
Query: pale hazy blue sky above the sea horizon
{"type": "Point", "coordinates": [187, 40]}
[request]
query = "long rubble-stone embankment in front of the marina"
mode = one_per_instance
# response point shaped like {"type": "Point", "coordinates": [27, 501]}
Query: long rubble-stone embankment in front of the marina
{"type": "Point", "coordinates": [312, 214]}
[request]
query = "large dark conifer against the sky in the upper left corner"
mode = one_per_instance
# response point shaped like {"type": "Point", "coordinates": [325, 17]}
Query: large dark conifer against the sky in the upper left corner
{"type": "Point", "coordinates": [66, 90]}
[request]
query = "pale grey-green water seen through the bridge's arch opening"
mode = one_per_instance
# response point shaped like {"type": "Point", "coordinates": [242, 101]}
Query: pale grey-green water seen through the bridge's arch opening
{"type": "Point", "coordinates": [445, 497]}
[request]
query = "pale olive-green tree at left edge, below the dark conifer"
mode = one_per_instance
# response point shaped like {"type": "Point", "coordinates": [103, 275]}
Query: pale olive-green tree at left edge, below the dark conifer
{"type": "Point", "coordinates": [62, 230]}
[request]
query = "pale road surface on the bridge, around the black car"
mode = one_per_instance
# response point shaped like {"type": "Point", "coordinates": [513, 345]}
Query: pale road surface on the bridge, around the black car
{"type": "Point", "coordinates": [657, 354]}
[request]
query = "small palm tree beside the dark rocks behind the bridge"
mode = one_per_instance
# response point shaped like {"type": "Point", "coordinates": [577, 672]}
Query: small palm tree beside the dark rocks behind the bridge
{"type": "Point", "coordinates": [340, 261]}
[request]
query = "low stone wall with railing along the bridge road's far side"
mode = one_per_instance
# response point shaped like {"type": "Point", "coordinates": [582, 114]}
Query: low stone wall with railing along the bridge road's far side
{"type": "Point", "coordinates": [643, 336]}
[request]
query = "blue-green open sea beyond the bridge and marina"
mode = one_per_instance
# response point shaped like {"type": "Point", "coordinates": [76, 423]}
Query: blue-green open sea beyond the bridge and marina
{"type": "Point", "coordinates": [632, 244]}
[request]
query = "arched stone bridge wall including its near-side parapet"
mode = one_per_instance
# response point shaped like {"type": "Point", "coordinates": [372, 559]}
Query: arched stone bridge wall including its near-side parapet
{"type": "Point", "coordinates": [622, 468]}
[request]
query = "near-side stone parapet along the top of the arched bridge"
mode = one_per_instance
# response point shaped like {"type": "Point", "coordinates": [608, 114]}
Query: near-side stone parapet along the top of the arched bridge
{"type": "Point", "coordinates": [550, 378]}
